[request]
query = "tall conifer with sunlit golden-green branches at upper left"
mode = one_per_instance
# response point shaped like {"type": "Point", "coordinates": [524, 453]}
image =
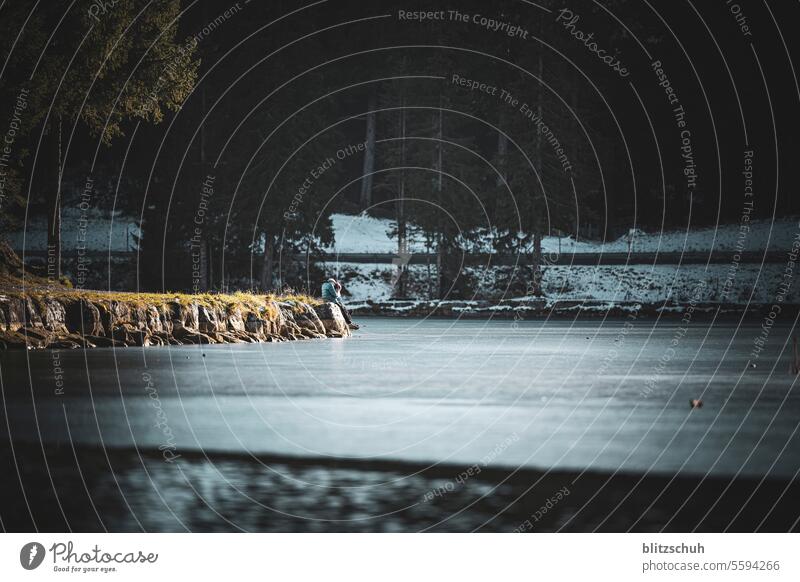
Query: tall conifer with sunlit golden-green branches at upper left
{"type": "Point", "coordinates": [101, 69]}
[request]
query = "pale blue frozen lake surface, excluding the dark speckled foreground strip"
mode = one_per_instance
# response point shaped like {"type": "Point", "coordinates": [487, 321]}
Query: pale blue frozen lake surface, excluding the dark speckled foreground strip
{"type": "Point", "coordinates": [608, 398]}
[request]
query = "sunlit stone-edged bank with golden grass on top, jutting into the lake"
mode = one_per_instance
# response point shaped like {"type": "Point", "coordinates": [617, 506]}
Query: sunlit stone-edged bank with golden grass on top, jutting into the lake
{"type": "Point", "coordinates": [70, 319]}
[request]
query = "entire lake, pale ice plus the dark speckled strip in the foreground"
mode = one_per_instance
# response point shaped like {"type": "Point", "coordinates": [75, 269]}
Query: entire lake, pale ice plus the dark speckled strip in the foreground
{"type": "Point", "coordinates": [411, 425]}
